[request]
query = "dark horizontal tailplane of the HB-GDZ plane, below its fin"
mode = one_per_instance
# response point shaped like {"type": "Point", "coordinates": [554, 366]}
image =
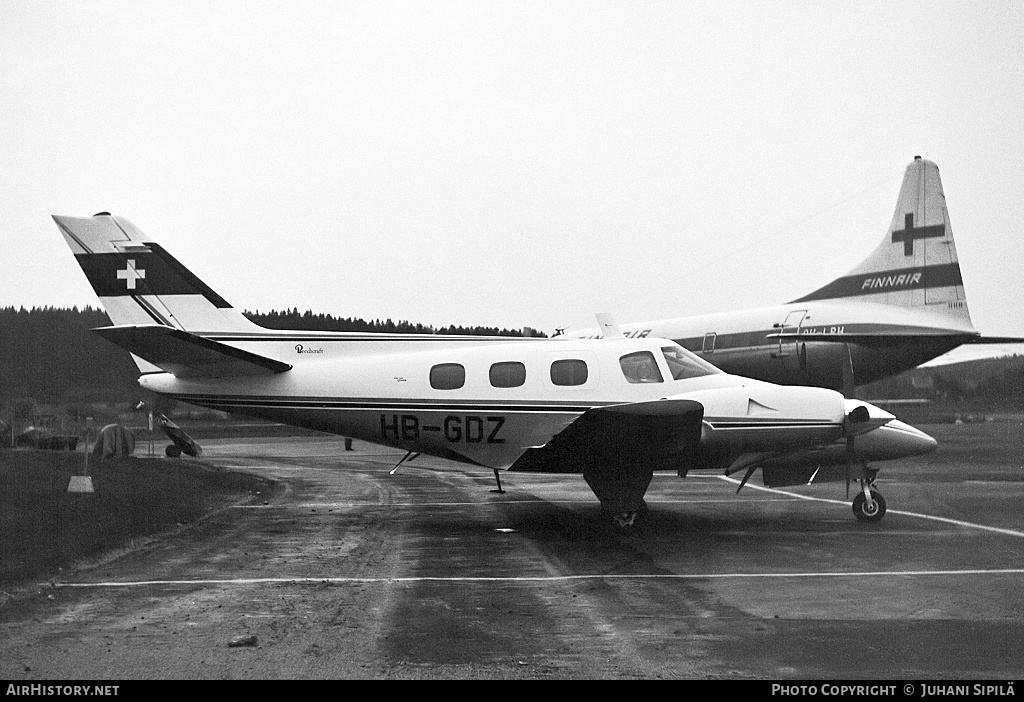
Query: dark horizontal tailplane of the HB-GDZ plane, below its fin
{"type": "Point", "coordinates": [188, 356]}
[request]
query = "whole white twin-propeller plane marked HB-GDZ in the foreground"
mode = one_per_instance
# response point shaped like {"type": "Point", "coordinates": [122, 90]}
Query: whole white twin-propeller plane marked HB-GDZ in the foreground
{"type": "Point", "coordinates": [615, 410]}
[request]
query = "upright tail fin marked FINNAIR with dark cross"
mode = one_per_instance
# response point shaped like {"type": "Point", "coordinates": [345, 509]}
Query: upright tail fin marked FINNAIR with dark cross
{"type": "Point", "coordinates": [916, 266]}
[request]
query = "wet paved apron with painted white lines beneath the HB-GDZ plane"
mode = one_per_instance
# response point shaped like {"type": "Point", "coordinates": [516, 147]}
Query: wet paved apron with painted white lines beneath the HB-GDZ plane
{"type": "Point", "coordinates": [347, 572]}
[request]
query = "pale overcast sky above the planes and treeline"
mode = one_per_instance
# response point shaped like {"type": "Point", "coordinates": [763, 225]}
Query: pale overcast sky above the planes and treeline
{"type": "Point", "coordinates": [510, 164]}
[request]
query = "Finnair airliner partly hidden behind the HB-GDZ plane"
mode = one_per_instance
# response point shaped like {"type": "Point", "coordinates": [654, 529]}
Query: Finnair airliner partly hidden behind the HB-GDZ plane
{"type": "Point", "coordinates": [904, 305]}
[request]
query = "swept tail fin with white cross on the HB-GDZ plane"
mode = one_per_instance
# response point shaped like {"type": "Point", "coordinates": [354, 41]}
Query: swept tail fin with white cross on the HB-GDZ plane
{"type": "Point", "coordinates": [139, 283]}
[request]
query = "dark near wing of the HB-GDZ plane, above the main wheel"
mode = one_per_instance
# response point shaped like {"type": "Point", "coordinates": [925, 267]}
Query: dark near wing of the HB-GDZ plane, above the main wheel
{"type": "Point", "coordinates": [655, 435]}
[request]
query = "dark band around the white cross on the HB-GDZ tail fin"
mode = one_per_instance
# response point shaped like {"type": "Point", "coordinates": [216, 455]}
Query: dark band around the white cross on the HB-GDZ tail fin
{"type": "Point", "coordinates": [164, 276]}
